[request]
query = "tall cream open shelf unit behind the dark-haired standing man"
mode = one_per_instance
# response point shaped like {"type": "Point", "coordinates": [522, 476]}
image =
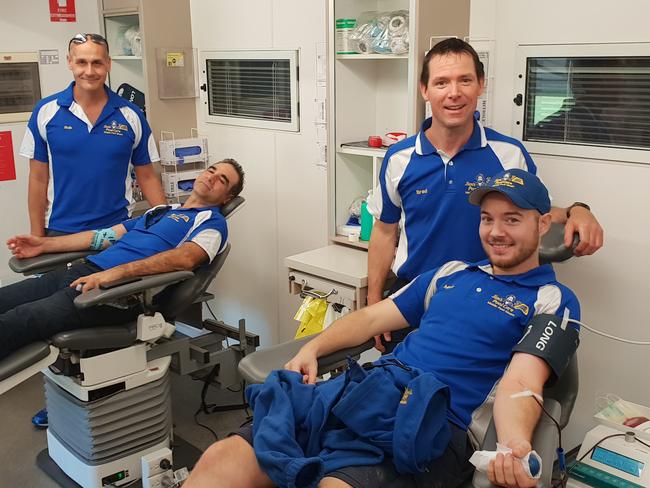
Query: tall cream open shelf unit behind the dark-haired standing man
{"type": "Point", "coordinates": [372, 94]}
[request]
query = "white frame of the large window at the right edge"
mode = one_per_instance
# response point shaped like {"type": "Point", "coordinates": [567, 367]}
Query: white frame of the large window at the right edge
{"type": "Point", "coordinates": [572, 149]}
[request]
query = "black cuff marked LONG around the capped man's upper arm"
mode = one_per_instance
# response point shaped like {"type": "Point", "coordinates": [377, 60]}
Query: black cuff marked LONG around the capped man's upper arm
{"type": "Point", "coordinates": [551, 339]}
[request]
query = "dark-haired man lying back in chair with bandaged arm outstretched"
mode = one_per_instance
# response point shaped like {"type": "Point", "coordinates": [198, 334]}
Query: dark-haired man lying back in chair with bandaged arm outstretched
{"type": "Point", "coordinates": [166, 238]}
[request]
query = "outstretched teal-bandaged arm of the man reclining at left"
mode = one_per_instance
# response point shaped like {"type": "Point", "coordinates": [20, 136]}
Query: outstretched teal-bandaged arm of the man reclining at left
{"type": "Point", "coordinates": [29, 246]}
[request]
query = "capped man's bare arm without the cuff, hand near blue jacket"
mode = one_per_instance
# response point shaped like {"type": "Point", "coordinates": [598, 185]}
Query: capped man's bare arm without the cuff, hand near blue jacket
{"type": "Point", "coordinates": [350, 330]}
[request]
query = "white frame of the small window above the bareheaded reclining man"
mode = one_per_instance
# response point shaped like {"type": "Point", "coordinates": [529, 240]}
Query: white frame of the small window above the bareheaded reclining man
{"type": "Point", "coordinates": [249, 55]}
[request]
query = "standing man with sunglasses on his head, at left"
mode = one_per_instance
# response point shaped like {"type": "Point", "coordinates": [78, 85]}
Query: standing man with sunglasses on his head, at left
{"type": "Point", "coordinates": [82, 143]}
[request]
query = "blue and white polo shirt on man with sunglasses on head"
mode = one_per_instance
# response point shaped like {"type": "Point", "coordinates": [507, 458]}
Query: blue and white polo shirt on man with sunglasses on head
{"type": "Point", "coordinates": [90, 165]}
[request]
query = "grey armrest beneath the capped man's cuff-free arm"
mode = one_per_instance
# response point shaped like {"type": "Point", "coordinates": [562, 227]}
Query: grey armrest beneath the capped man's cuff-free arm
{"type": "Point", "coordinates": [256, 366]}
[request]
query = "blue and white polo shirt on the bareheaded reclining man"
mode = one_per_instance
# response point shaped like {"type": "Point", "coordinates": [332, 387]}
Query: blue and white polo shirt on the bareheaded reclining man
{"type": "Point", "coordinates": [163, 228]}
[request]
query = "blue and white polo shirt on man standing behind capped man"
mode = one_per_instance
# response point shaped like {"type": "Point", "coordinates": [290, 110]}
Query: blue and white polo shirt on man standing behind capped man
{"type": "Point", "coordinates": [426, 192]}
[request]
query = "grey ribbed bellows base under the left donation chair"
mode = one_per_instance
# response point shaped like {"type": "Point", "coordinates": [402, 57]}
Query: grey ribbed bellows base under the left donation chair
{"type": "Point", "coordinates": [98, 433]}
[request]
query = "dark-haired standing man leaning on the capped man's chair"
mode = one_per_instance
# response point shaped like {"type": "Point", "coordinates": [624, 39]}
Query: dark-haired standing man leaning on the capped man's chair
{"type": "Point", "coordinates": [424, 179]}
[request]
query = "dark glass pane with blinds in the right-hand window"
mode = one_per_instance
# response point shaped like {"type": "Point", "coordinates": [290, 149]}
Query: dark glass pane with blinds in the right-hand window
{"type": "Point", "coordinates": [602, 101]}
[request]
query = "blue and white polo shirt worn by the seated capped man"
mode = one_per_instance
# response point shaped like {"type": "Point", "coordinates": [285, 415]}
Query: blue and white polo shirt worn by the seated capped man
{"type": "Point", "coordinates": [468, 320]}
